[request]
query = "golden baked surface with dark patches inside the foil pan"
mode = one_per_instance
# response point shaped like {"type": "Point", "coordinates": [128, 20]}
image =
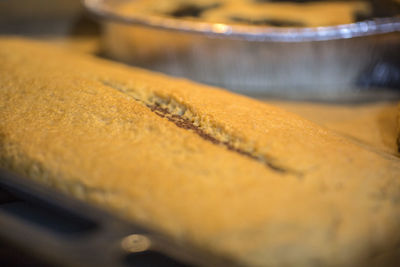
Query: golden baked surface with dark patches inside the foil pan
{"type": "Point", "coordinates": [263, 12]}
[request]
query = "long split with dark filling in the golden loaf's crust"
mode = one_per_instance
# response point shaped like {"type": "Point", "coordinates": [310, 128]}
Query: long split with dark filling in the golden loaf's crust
{"type": "Point", "coordinates": [183, 118]}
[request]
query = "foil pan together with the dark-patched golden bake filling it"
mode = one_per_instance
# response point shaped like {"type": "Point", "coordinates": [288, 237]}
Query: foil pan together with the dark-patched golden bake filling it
{"type": "Point", "coordinates": [314, 50]}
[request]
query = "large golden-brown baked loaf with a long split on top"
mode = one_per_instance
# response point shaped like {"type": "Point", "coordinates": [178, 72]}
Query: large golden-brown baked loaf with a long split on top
{"type": "Point", "coordinates": [237, 177]}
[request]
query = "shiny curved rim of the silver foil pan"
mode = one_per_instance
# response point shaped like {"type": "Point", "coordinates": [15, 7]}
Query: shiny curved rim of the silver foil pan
{"type": "Point", "coordinates": [248, 32]}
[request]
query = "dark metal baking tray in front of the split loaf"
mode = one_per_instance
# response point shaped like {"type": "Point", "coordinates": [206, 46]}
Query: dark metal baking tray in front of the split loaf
{"type": "Point", "coordinates": [42, 227]}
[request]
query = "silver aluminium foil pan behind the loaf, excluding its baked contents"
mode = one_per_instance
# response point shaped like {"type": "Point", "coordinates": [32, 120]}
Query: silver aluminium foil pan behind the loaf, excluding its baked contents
{"type": "Point", "coordinates": [355, 61]}
